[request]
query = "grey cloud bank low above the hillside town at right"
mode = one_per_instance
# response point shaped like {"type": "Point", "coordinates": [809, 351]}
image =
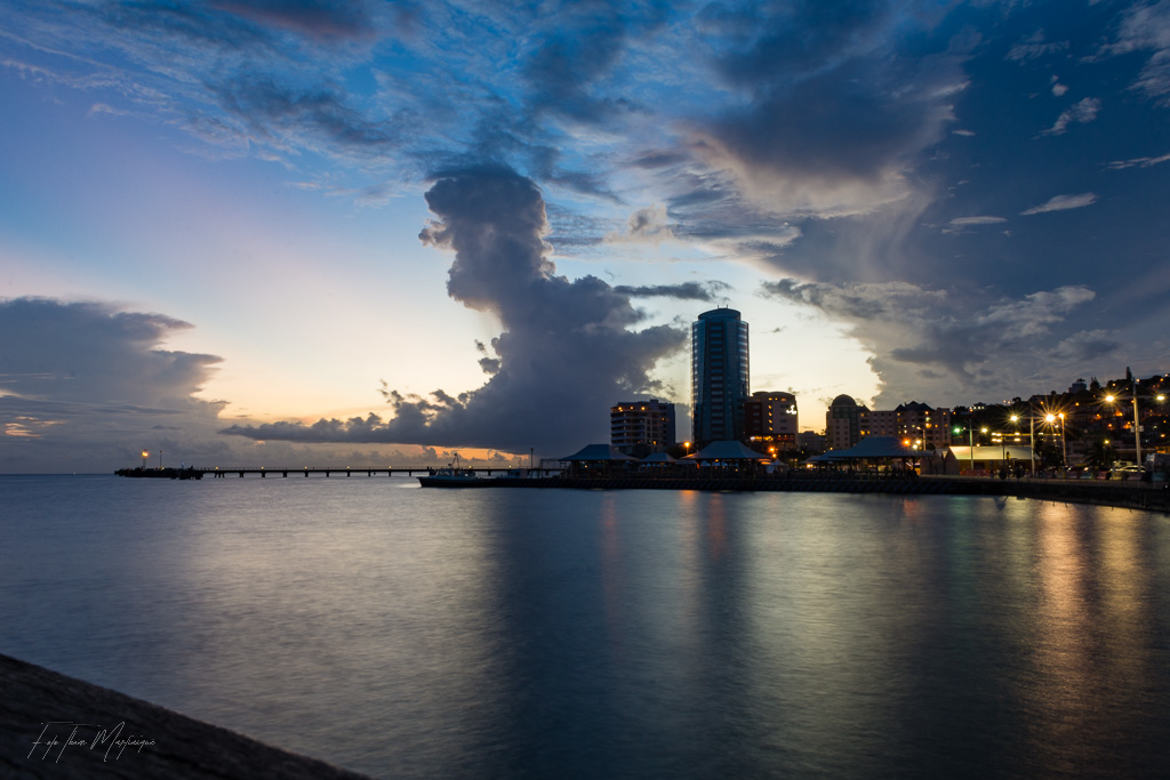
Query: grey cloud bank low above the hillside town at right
{"type": "Point", "coordinates": [933, 342]}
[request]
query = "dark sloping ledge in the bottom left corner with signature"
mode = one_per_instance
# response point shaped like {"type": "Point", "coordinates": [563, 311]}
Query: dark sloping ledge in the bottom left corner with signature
{"type": "Point", "coordinates": [38, 705]}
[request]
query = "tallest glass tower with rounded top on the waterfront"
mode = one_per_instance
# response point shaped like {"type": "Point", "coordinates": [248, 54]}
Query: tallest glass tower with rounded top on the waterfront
{"type": "Point", "coordinates": [719, 376]}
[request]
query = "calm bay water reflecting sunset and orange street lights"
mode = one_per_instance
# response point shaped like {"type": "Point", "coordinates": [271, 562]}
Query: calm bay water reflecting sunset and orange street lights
{"type": "Point", "coordinates": [507, 633]}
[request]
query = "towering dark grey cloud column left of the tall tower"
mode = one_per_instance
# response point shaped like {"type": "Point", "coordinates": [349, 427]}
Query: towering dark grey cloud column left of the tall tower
{"type": "Point", "coordinates": [566, 354]}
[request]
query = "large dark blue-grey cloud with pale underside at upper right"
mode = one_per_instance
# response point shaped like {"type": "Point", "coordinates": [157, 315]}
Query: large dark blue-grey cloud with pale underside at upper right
{"type": "Point", "coordinates": [836, 118]}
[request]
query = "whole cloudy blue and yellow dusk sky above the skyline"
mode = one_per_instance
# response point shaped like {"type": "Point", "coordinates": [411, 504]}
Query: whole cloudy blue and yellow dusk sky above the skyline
{"type": "Point", "coordinates": [300, 233]}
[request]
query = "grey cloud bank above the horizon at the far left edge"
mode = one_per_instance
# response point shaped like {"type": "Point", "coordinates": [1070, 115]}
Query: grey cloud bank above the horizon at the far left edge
{"type": "Point", "coordinates": [85, 384]}
